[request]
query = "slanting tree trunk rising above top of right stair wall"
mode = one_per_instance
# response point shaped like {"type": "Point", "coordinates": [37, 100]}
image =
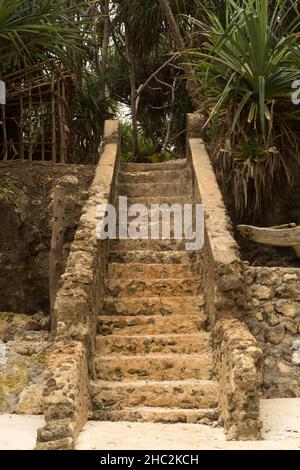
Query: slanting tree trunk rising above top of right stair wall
{"type": "Point", "coordinates": [179, 42]}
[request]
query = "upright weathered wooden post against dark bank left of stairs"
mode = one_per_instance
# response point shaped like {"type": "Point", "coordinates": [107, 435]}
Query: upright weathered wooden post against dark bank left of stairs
{"type": "Point", "coordinates": [56, 251]}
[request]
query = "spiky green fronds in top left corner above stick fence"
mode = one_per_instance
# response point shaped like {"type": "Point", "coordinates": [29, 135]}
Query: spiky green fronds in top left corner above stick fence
{"type": "Point", "coordinates": [31, 31]}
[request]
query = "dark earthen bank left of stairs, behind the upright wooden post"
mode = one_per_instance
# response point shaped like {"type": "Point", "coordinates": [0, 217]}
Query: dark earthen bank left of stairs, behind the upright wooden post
{"type": "Point", "coordinates": [26, 192]}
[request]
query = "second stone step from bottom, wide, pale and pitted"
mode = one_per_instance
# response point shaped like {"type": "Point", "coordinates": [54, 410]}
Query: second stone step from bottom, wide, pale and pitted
{"type": "Point", "coordinates": [183, 394]}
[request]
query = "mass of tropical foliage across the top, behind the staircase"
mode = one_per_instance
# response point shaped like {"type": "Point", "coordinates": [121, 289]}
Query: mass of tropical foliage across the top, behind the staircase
{"type": "Point", "coordinates": [152, 61]}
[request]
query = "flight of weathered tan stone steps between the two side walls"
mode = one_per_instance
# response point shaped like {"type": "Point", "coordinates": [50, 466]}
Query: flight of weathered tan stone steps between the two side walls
{"type": "Point", "coordinates": [153, 356]}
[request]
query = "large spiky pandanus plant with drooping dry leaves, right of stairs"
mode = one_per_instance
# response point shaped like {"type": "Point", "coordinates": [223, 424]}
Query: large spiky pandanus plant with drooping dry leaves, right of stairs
{"type": "Point", "coordinates": [247, 64]}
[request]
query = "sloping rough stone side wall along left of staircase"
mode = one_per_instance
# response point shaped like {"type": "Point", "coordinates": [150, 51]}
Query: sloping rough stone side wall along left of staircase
{"type": "Point", "coordinates": [78, 303]}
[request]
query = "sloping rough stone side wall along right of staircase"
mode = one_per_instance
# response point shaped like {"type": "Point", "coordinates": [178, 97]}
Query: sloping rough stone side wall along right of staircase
{"type": "Point", "coordinates": [238, 358]}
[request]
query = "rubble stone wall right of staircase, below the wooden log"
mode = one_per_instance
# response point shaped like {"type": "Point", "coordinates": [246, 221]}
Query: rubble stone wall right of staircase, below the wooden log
{"type": "Point", "coordinates": [273, 296]}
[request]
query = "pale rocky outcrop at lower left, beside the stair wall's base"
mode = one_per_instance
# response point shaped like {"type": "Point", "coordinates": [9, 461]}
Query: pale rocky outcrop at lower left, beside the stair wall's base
{"type": "Point", "coordinates": [25, 345]}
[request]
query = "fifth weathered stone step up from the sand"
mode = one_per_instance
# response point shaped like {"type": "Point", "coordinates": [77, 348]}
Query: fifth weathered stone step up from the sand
{"type": "Point", "coordinates": [122, 325]}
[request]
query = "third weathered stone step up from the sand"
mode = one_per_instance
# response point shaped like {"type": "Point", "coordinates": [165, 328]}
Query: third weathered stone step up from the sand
{"type": "Point", "coordinates": [164, 367]}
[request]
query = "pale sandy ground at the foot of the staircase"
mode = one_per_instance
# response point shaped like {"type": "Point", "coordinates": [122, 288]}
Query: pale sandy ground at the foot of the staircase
{"type": "Point", "coordinates": [281, 431]}
